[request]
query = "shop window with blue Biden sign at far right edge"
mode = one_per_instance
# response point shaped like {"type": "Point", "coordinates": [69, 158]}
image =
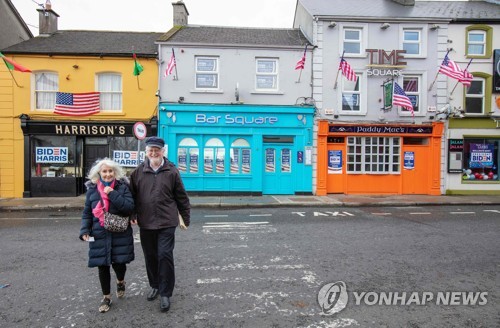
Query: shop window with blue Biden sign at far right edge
{"type": "Point", "coordinates": [481, 159]}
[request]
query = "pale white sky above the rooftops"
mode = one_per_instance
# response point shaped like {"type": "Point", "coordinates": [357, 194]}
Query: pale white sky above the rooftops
{"type": "Point", "coordinates": [156, 15]}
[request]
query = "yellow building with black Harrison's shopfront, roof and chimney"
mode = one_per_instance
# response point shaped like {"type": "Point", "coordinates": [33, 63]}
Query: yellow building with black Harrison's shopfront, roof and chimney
{"type": "Point", "coordinates": [81, 101]}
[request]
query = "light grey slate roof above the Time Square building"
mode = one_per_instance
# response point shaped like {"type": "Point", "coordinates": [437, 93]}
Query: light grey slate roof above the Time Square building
{"type": "Point", "coordinates": [455, 10]}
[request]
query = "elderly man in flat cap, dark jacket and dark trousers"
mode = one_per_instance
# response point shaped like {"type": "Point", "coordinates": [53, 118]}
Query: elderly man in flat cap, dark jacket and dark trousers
{"type": "Point", "coordinates": [159, 196]}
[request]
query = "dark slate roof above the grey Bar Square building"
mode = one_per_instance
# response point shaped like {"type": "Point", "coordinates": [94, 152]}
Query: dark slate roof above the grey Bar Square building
{"type": "Point", "coordinates": [217, 35]}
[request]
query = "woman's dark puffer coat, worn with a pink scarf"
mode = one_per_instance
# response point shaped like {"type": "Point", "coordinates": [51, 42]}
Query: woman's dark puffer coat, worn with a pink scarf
{"type": "Point", "coordinates": [108, 247]}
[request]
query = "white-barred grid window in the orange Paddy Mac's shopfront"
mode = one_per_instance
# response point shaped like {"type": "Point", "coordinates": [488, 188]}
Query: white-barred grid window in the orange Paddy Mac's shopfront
{"type": "Point", "coordinates": [373, 155]}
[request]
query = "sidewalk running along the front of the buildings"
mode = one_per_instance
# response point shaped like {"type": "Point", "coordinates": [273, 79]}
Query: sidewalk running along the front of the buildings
{"type": "Point", "coordinates": [336, 200]}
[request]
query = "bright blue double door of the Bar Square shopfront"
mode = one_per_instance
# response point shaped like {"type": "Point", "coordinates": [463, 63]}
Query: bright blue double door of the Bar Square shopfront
{"type": "Point", "coordinates": [278, 169]}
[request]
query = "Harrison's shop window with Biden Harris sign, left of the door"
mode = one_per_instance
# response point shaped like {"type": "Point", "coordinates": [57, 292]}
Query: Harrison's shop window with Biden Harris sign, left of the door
{"type": "Point", "coordinates": [54, 156]}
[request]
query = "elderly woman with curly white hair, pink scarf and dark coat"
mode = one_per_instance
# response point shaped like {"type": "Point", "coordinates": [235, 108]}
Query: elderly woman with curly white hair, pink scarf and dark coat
{"type": "Point", "coordinates": [108, 191]}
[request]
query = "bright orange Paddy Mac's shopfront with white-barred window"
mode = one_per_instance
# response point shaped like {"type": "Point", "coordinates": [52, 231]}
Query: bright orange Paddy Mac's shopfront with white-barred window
{"type": "Point", "coordinates": [361, 158]}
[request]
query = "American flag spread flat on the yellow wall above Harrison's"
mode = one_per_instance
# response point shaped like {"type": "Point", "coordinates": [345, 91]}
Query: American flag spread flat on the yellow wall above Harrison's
{"type": "Point", "coordinates": [77, 104]}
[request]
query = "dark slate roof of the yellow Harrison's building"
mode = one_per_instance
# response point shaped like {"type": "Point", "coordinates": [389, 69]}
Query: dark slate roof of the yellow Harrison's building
{"type": "Point", "coordinates": [90, 43]}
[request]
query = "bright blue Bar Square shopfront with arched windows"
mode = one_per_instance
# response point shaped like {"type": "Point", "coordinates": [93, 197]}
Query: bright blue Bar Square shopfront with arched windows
{"type": "Point", "coordinates": [247, 149]}
